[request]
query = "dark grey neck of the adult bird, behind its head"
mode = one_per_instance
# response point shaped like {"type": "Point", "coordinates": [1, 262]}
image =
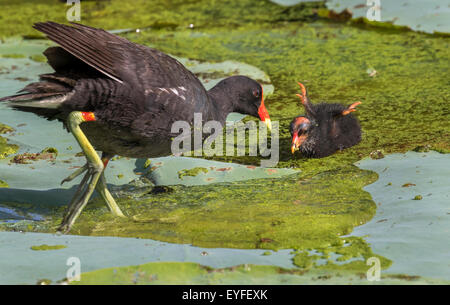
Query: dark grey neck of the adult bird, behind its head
{"type": "Point", "coordinates": [222, 103]}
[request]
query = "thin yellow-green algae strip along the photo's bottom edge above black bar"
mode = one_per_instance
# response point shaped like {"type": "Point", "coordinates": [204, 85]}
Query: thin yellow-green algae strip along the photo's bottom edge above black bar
{"type": "Point", "coordinates": [172, 273]}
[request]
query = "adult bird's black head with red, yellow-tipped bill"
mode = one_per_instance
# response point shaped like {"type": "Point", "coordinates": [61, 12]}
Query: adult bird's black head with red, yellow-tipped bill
{"type": "Point", "coordinates": [244, 95]}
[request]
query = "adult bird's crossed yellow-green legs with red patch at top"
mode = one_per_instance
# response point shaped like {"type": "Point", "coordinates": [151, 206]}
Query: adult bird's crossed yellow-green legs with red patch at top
{"type": "Point", "coordinates": [94, 168]}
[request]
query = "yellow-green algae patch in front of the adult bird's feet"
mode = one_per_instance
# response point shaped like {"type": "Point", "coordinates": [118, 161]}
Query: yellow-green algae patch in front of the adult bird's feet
{"type": "Point", "coordinates": [312, 213]}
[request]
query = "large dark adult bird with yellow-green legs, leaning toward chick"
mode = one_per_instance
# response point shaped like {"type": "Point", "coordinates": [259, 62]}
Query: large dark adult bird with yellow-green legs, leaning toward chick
{"type": "Point", "coordinates": [123, 97]}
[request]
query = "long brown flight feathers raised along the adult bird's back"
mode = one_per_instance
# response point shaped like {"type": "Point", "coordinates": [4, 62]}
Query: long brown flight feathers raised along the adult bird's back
{"type": "Point", "coordinates": [119, 58]}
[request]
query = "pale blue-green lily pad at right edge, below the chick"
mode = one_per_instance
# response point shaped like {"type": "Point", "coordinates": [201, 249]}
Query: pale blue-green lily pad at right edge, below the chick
{"type": "Point", "coordinates": [414, 234]}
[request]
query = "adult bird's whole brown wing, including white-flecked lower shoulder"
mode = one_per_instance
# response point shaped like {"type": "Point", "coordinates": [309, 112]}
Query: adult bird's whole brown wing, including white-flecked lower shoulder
{"type": "Point", "coordinates": [166, 83]}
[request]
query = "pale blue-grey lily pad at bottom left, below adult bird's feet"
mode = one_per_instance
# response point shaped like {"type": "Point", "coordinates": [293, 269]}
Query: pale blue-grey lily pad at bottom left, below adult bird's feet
{"type": "Point", "coordinates": [21, 265]}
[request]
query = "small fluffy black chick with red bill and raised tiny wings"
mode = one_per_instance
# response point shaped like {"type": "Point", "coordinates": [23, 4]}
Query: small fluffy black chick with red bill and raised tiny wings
{"type": "Point", "coordinates": [324, 129]}
